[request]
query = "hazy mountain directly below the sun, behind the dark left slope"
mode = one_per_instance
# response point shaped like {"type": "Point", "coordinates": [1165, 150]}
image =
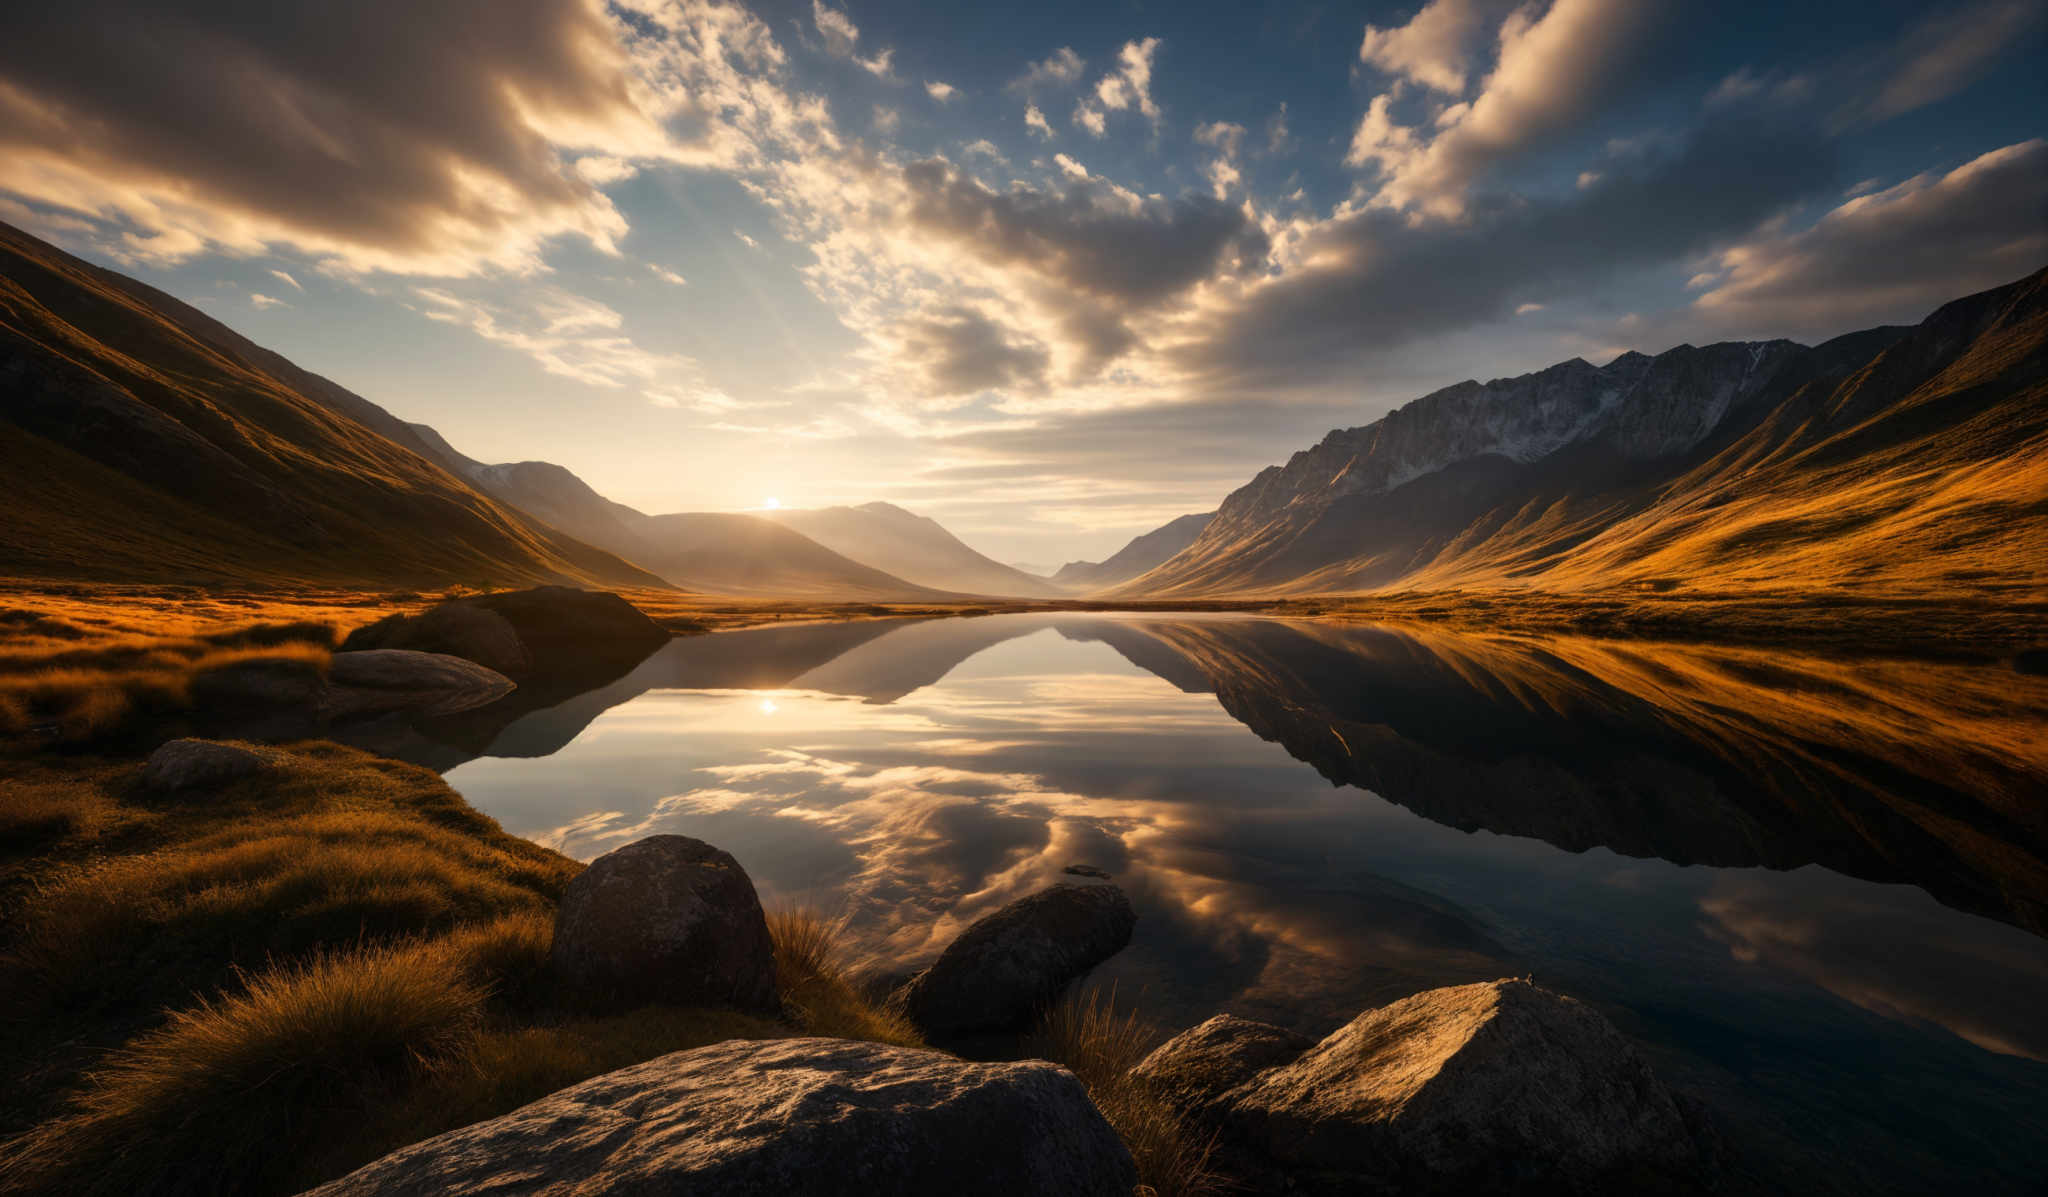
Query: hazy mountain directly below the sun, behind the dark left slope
{"type": "Point", "coordinates": [726, 554]}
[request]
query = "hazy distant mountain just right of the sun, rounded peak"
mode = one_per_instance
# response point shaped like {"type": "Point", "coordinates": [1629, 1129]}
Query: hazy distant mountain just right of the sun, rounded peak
{"type": "Point", "coordinates": [912, 548]}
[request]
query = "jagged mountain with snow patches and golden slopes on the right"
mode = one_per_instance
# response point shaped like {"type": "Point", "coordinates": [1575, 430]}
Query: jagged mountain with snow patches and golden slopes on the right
{"type": "Point", "coordinates": [1895, 460]}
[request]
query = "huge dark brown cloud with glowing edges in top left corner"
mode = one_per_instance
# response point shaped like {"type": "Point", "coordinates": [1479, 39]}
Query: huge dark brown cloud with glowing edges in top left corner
{"type": "Point", "coordinates": [359, 134]}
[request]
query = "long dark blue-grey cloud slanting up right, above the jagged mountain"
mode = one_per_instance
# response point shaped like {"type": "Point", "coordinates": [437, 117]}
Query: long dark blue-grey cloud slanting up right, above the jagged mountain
{"type": "Point", "coordinates": [1375, 280]}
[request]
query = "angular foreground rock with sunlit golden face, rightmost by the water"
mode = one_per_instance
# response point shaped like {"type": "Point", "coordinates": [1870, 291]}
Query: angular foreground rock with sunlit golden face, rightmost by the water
{"type": "Point", "coordinates": [1496, 1087]}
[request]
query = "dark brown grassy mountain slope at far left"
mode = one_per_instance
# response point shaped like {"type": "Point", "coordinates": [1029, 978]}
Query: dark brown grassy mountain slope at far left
{"type": "Point", "coordinates": [142, 440]}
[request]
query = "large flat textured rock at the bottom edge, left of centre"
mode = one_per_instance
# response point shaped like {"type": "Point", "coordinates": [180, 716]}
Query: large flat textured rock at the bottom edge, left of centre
{"type": "Point", "coordinates": [824, 1118]}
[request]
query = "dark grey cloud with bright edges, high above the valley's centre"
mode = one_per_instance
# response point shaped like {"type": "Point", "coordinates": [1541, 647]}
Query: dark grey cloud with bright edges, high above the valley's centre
{"type": "Point", "coordinates": [1101, 243]}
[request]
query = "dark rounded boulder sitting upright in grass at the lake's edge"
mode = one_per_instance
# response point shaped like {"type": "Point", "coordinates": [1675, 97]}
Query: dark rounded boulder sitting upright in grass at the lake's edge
{"type": "Point", "coordinates": [667, 919]}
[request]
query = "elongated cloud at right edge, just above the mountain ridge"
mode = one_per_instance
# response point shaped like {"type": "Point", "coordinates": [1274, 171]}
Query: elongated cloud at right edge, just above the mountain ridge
{"type": "Point", "coordinates": [1891, 255]}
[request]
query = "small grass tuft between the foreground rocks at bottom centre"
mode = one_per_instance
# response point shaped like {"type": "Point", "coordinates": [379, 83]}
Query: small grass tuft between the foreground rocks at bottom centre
{"type": "Point", "coordinates": [1101, 1046]}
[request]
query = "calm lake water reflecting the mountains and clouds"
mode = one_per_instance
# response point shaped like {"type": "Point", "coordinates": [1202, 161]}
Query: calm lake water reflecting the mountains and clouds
{"type": "Point", "coordinates": [1811, 891]}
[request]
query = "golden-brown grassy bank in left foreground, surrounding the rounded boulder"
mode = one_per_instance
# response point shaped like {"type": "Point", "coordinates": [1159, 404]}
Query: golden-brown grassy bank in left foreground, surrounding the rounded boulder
{"type": "Point", "coordinates": [300, 973]}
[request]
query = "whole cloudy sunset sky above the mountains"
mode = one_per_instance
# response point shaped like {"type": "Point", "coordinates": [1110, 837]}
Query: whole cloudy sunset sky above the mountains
{"type": "Point", "coordinates": [1048, 274]}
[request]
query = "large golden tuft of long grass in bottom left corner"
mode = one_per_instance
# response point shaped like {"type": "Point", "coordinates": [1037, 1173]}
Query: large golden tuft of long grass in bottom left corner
{"type": "Point", "coordinates": [216, 1100]}
